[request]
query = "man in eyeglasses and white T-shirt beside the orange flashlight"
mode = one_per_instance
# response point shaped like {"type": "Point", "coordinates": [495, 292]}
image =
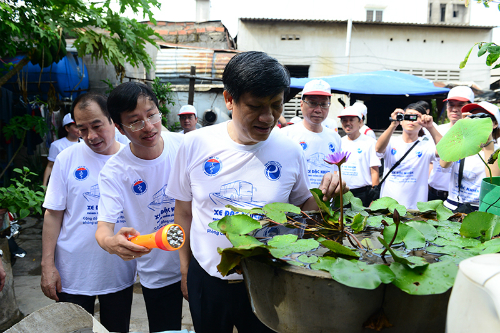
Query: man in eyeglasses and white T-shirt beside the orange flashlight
{"type": "Point", "coordinates": [134, 181]}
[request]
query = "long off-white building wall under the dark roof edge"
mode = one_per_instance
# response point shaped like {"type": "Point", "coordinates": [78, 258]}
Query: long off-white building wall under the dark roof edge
{"type": "Point", "coordinates": [322, 46]}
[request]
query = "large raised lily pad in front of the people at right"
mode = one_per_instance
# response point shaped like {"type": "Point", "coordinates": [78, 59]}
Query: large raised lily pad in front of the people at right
{"type": "Point", "coordinates": [464, 139]}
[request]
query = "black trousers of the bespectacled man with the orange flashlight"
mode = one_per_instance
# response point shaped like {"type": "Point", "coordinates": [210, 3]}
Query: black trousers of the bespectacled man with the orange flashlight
{"type": "Point", "coordinates": [164, 307]}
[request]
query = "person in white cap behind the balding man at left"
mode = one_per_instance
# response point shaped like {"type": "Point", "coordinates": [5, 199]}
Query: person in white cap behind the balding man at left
{"type": "Point", "coordinates": [71, 137]}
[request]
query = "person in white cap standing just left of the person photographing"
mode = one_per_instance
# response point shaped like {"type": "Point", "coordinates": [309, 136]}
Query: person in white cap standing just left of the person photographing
{"type": "Point", "coordinates": [360, 172]}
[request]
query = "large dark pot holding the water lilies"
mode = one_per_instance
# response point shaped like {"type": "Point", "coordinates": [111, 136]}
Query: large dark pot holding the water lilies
{"type": "Point", "coordinates": [293, 299]}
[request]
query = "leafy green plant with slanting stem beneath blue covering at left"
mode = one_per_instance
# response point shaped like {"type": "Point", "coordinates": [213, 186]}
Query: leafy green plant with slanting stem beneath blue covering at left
{"type": "Point", "coordinates": [18, 127]}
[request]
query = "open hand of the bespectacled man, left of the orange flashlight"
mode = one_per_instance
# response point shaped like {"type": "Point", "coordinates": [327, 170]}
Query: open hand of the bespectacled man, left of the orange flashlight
{"type": "Point", "coordinates": [119, 244]}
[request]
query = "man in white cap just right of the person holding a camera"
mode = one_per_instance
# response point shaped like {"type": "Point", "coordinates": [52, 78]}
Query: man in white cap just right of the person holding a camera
{"type": "Point", "coordinates": [439, 179]}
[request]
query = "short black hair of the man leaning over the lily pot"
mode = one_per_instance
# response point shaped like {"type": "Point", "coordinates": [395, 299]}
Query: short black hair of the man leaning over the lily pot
{"type": "Point", "coordinates": [256, 73]}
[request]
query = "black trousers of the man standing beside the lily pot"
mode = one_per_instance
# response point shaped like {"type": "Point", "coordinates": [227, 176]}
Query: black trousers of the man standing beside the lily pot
{"type": "Point", "coordinates": [217, 305]}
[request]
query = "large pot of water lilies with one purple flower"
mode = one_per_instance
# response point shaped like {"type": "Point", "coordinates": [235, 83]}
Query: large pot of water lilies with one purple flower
{"type": "Point", "coordinates": [350, 268]}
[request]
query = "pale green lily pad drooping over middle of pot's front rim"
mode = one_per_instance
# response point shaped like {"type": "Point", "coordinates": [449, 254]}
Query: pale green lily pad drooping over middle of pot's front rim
{"type": "Point", "coordinates": [358, 274]}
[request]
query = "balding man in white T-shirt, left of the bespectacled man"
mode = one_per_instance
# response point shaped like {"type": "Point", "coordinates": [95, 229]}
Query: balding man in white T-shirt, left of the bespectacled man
{"type": "Point", "coordinates": [74, 268]}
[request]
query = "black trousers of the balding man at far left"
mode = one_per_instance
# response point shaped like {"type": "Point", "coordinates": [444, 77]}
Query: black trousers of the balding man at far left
{"type": "Point", "coordinates": [114, 310]}
